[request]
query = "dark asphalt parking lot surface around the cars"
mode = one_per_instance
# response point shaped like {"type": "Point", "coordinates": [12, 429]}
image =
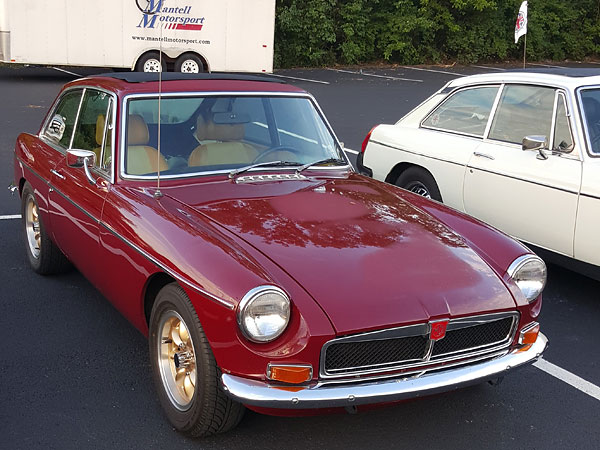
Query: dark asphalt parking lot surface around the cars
{"type": "Point", "coordinates": [75, 374]}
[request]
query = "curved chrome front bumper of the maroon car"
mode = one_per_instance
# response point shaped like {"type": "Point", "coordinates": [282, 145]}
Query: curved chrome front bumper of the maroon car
{"type": "Point", "coordinates": [259, 393]}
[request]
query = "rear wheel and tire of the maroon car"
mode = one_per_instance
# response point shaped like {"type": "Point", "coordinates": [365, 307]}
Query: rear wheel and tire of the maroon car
{"type": "Point", "coordinates": [44, 256]}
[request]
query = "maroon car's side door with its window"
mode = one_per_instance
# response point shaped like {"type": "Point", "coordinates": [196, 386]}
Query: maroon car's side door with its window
{"type": "Point", "coordinates": [75, 202]}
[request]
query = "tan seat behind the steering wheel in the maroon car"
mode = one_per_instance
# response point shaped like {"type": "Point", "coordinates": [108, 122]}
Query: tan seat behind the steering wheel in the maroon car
{"type": "Point", "coordinates": [221, 144]}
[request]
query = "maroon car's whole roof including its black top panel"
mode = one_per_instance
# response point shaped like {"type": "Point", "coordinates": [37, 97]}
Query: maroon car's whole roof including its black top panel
{"type": "Point", "coordinates": [138, 82]}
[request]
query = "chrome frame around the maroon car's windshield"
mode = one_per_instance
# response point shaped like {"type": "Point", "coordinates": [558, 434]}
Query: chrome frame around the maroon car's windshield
{"type": "Point", "coordinates": [124, 112]}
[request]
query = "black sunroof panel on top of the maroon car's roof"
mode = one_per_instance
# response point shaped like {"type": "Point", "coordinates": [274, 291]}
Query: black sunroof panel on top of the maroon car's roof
{"type": "Point", "coordinates": [145, 77]}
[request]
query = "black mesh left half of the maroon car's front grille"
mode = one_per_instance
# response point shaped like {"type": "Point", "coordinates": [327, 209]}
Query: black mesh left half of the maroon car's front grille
{"type": "Point", "coordinates": [357, 355]}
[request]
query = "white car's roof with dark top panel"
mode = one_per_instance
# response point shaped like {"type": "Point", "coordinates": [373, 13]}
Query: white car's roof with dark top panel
{"type": "Point", "coordinates": [566, 77]}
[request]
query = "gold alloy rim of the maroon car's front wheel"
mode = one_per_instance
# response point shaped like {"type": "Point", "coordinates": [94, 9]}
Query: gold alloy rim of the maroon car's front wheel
{"type": "Point", "coordinates": [177, 360]}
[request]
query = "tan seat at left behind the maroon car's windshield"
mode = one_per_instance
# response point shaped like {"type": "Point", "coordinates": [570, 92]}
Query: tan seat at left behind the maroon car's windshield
{"type": "Point", "coordinates": [141, 158]}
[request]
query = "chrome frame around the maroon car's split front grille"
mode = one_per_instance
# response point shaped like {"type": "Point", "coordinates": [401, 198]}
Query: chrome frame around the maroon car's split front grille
{"type": "Point", "coordinates": [419, 330]}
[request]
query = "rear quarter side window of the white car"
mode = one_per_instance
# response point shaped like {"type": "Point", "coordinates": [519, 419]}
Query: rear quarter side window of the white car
{"type": "Point", "coordinates": [466, 111]}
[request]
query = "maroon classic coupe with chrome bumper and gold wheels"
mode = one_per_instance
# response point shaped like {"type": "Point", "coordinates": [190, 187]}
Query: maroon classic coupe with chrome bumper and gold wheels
{"type": "Point", "coordinates": [225, 222]}
